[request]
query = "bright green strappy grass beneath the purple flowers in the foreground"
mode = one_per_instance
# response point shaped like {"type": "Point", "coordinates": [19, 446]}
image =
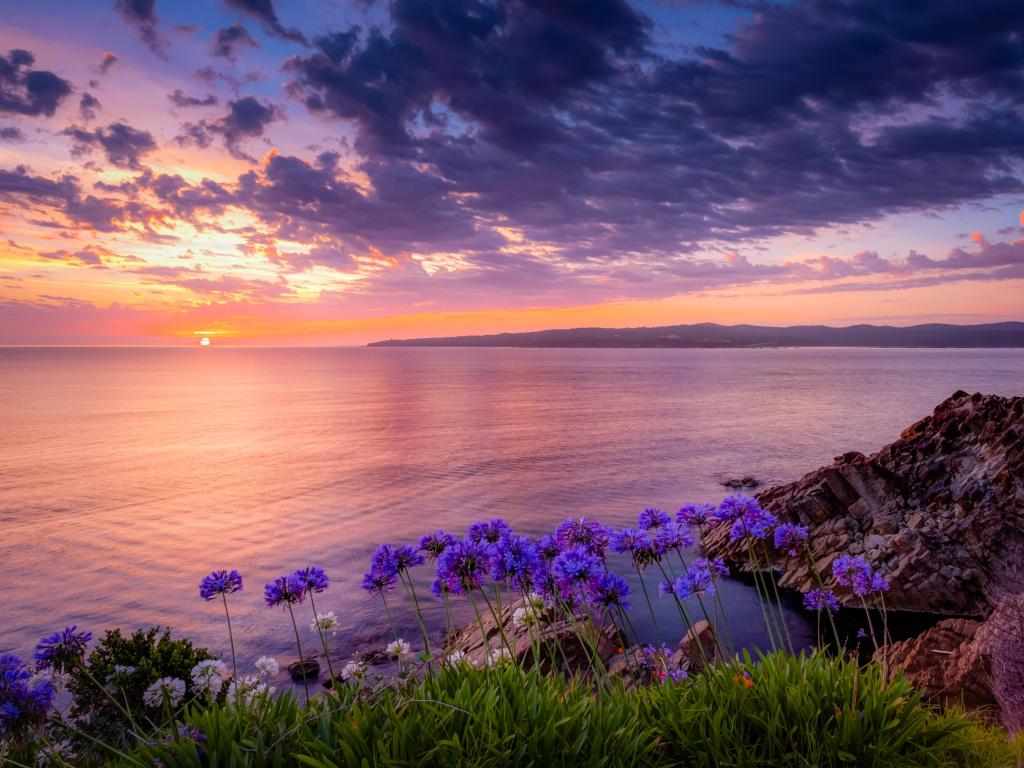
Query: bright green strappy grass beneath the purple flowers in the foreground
{"type": "Point", "coordinates": [812, 711]}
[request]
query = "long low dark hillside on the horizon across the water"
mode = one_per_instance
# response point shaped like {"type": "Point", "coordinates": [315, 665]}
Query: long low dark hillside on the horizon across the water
{"type": "Point", "coordinates": [712, 335]}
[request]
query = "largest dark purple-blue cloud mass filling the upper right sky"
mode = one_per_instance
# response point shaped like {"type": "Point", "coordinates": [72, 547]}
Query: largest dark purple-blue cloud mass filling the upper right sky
{"type": "Point", "coordinates": [565, 120]}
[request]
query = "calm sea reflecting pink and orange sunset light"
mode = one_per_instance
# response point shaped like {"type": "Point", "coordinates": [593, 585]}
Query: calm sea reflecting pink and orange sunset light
{"type": "Point", "coordinates": [127, 475]}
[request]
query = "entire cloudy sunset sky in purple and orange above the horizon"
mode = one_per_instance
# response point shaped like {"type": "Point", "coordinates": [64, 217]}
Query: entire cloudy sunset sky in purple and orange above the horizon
{"type": "Point", "coordinates": [327, 173]}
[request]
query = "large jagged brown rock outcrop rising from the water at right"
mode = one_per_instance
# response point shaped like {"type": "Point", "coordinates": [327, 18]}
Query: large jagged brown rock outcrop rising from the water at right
{"type": "Point", "coordinates": [937, 513]}
